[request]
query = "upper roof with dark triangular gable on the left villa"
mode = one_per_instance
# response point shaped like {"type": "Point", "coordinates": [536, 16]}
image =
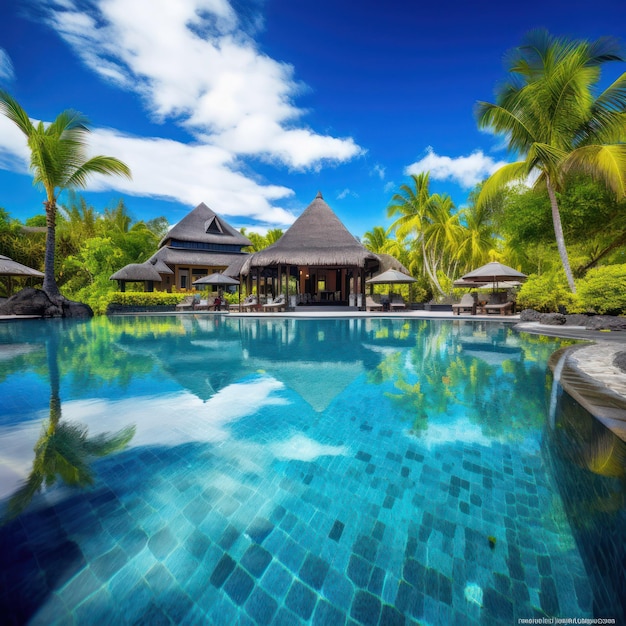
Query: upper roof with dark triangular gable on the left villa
{"type": "Point", "coordinates": [202, 225]}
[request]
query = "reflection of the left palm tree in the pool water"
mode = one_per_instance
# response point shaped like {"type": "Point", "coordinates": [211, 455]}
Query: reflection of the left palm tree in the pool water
{"type": "Point", "coordinates": [63, 449]}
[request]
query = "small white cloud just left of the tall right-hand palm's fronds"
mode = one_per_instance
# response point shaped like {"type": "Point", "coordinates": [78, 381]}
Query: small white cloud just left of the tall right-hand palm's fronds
{"type": "Point", "coordinates": [466, 171]}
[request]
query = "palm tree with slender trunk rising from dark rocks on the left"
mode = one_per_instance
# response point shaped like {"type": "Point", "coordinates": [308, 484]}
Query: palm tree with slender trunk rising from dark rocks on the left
{"type": "Point", "coordinates": [58, 161]}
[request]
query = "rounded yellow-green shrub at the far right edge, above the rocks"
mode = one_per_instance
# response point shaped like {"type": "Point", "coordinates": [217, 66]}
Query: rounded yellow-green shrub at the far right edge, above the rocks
{"type": "Point", "coordinates": [603, 290]}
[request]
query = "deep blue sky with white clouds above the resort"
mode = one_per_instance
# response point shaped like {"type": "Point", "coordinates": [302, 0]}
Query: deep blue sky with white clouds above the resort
{"type": "Point", "coordinates": [252, 106]}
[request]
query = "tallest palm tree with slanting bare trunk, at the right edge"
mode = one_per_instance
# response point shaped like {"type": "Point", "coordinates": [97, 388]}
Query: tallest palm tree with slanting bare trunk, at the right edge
{"type": "Point", "coordinates": [551, 118]}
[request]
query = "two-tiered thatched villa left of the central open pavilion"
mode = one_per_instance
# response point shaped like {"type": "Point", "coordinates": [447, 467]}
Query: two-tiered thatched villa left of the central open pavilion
{"type": "Point", "coordinates": [200, 244]}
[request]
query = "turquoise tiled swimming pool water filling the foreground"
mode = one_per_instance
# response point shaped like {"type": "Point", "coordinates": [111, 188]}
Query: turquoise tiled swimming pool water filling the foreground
{"type": "Point", "coordinates": [209, 469]}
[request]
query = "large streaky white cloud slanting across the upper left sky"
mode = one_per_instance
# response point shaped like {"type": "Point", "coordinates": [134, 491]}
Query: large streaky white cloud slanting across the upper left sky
{"type": "Point", "coordinates": [191, 61]}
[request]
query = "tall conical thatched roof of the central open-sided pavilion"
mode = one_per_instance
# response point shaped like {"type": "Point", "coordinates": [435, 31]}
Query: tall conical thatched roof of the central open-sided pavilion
{"type": "Point", "coordinates": [317, 237]}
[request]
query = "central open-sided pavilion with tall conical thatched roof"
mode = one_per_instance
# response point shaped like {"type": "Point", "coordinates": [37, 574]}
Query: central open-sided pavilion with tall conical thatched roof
{"type": "Point", "coordinates": [326, 264]}
